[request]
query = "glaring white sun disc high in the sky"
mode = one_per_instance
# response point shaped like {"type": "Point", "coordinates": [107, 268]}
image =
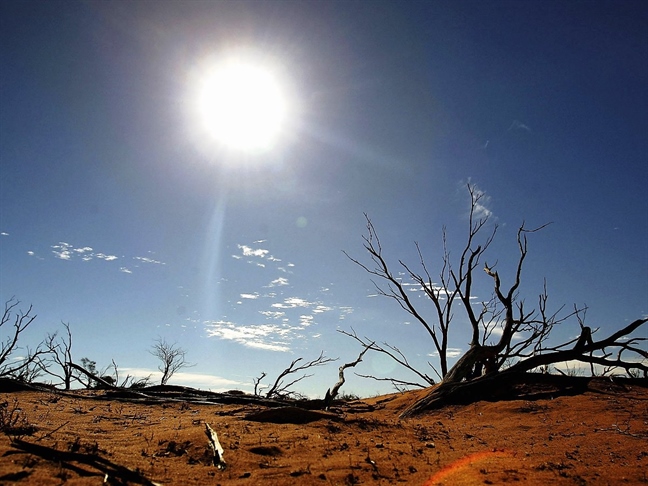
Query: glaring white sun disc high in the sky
{"type": "Point", "coordinates": [242, 106]}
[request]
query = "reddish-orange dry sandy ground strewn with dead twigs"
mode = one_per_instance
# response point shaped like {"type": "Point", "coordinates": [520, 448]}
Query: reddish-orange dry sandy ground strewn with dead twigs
{"type": "Point", "coordinates": [597, 437]}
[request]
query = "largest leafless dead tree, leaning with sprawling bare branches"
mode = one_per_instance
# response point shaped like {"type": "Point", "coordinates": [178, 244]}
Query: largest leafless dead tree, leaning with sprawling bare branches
{"type": "Point", "coordinates": [505, 336]}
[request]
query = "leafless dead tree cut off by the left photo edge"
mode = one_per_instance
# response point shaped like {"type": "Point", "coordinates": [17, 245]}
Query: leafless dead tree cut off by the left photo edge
{"type": "Point", "coordinates": [12, 324]}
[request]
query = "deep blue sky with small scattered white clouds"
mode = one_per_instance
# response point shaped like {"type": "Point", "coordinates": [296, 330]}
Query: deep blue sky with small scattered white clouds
{"type": "Point", "coordinates": [119, 217]}
